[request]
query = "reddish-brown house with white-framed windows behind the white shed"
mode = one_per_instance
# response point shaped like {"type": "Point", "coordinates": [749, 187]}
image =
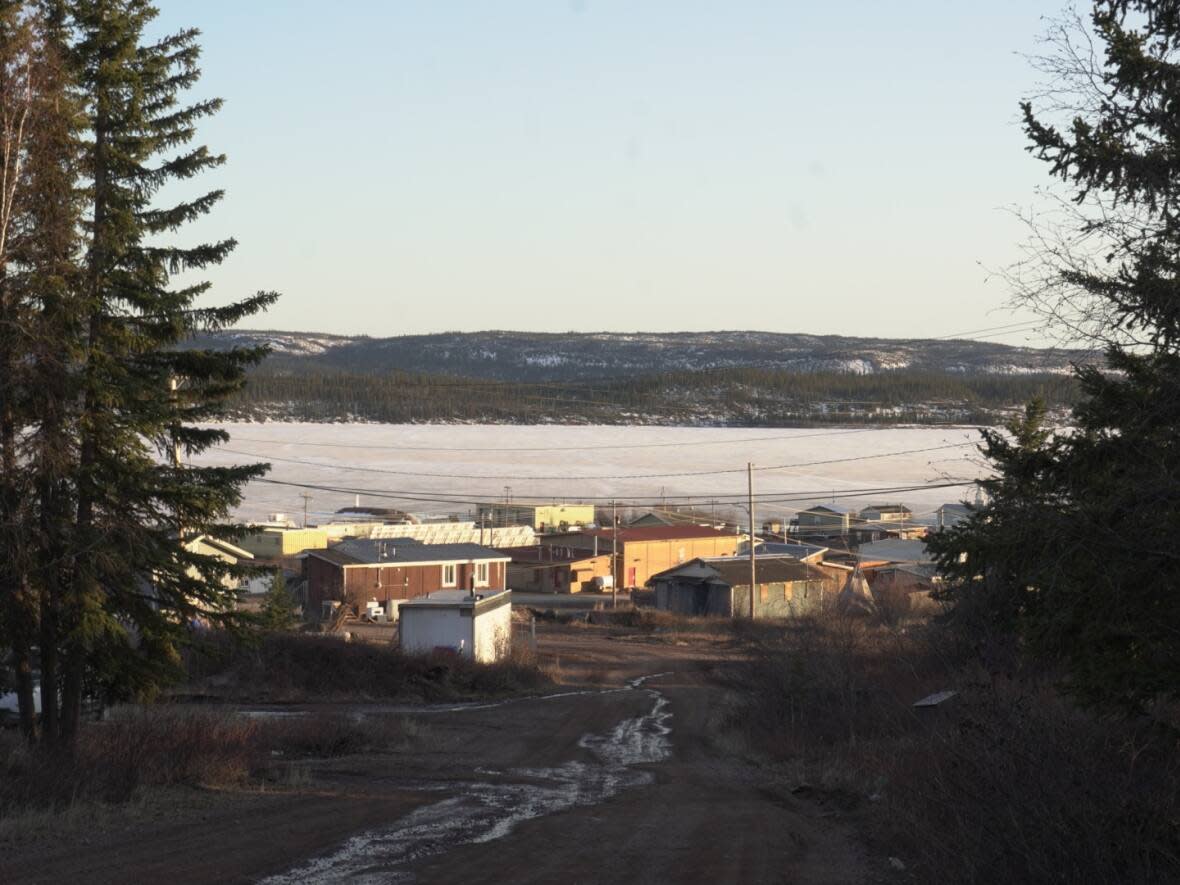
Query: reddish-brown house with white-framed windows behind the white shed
{"type": "Point", "coordinates": [386, 572]}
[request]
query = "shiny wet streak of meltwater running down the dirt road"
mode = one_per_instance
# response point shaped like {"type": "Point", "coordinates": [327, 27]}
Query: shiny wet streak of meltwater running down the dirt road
{"type": "Point", "coordinates": [482, 812]}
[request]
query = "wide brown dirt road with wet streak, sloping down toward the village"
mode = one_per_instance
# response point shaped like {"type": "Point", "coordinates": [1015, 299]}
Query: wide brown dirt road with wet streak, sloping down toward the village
{"type": "Point", "coordinates": [624, 775]}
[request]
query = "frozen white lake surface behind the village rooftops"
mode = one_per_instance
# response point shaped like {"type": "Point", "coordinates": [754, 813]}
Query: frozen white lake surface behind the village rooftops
{"type": "Point", "coordinates": [450, 469]}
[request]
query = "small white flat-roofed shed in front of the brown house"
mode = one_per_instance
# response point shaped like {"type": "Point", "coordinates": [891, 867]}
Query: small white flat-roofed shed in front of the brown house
{"type": "Point", "coordinates": [478, 627]}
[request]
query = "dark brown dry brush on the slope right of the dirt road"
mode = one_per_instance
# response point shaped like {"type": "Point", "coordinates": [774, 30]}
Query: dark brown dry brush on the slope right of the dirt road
{"type": "Point", "coordinates": [1006, 783]}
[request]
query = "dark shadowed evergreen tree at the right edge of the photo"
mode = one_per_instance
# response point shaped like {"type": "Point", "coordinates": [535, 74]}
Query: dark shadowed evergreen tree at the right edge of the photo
{"type": "Point", "coordinates": [1096, 586]}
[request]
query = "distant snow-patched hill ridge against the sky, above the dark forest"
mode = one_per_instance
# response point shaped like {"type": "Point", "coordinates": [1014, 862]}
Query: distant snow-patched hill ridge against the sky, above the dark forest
{"type": "Point", "coordinates": [580, 357]}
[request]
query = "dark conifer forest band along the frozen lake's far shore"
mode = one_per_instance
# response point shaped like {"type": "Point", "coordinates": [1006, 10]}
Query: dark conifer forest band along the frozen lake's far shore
{"type": "Point", "coordinates": [726, 397]}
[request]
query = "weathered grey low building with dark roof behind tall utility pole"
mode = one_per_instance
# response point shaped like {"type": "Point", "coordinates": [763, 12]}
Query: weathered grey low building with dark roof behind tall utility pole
{"type": "Point", "coordinates": [720, 587]}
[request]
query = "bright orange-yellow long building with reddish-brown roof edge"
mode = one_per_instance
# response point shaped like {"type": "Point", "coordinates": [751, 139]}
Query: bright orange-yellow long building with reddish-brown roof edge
{"type": "Point", "coordinates": [644, 552]}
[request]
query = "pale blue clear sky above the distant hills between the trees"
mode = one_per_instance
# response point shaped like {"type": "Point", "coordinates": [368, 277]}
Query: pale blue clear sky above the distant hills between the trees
{"type": "Point", "coordinates": [620, 165]}
